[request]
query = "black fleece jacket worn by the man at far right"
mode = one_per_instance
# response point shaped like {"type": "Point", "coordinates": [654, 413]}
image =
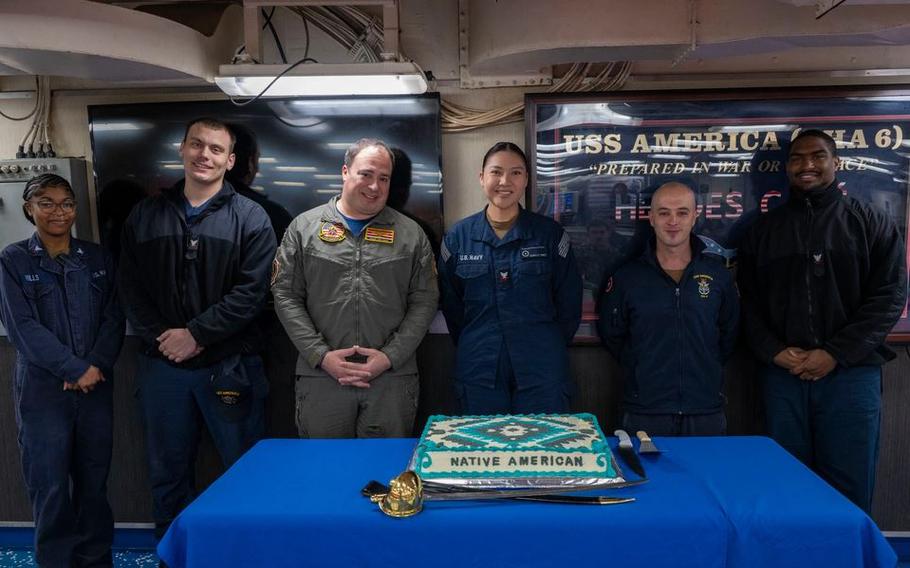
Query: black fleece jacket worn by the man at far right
{"type": "Point", "coordinates": [823, 270]}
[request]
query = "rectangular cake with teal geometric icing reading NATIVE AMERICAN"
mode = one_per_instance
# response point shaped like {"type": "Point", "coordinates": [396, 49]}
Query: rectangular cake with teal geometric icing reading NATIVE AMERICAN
{"type": "Point", "coordinates": [562, 438]}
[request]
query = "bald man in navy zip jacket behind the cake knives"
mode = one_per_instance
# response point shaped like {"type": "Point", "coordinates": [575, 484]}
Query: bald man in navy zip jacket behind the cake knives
{"type": "Point", "coordinates": [669, 317]}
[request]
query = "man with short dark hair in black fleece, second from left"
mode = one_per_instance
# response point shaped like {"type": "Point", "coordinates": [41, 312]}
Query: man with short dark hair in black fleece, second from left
{"type": "Point", "coordinates": [194, 274]}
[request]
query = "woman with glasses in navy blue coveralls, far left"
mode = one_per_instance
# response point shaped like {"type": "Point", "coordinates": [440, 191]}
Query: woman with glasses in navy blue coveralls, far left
{"type": "Point", "coordinates": [58, 305]}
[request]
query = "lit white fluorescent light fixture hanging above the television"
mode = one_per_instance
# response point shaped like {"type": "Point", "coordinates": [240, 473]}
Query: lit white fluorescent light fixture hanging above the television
{"type": "Point", "coordinates": [321, 79]}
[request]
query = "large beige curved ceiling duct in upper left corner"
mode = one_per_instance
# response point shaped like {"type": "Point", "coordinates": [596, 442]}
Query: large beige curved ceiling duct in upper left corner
{"type": "Point", "coordinates": [89, 40]}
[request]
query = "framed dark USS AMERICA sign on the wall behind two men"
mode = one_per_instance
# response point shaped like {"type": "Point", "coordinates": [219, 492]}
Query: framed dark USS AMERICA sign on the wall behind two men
{"type": "Point", "coordinates": [596, 160]}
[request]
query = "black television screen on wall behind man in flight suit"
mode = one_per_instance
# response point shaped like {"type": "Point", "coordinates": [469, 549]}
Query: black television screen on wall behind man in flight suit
{"type": "Point", "coordinates": [301, 150]}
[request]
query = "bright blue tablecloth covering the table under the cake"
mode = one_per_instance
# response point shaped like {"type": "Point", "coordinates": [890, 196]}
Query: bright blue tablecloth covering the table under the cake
{"type": "Point", "coordinates": [737, 501]}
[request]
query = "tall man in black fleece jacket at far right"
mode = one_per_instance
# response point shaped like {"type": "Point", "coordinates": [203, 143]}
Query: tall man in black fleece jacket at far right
{"type": "Point", "coordinates": [823, 280]}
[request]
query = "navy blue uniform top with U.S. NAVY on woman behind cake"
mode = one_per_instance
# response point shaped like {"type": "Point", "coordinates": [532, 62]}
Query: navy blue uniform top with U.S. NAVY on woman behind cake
{"type": "Point", "coordinates": [512, 306]}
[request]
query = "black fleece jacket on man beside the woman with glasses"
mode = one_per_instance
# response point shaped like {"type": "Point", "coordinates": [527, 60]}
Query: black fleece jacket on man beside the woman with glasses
{"type": "Point", "coordinates": [210, 275]}
